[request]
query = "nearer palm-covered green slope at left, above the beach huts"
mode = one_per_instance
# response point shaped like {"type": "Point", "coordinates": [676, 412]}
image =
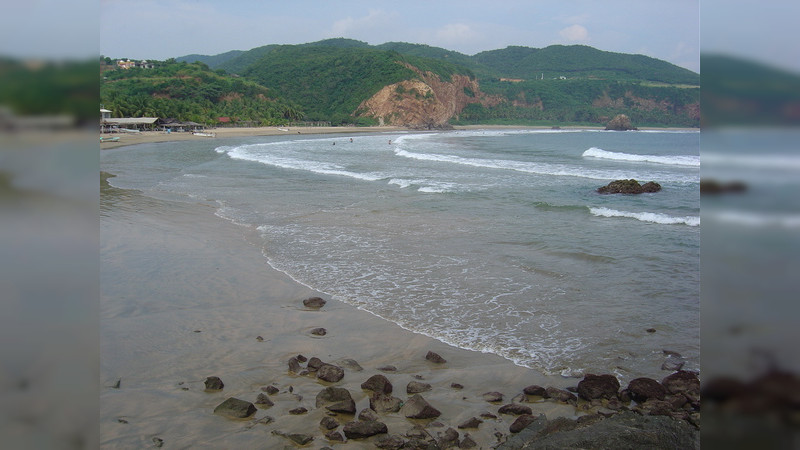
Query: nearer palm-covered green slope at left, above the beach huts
{"type": "Point", "coordinates": [191, 92]}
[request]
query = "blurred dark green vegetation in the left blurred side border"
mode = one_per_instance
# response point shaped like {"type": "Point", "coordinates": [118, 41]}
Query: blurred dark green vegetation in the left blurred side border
{"type": "Point", "coordinates": [50, 88]}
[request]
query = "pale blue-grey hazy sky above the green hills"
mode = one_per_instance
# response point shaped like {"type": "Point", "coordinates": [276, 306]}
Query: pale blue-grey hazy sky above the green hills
{"type": "Point", "coordinates": [161, 29]}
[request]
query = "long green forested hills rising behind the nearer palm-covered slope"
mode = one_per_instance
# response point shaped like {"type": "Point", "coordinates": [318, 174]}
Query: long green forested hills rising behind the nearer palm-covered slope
{"type": "Point", "coordinates": [329, 79]}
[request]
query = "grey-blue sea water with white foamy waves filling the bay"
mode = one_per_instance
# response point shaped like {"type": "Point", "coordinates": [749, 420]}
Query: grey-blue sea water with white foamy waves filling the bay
{"type": "Point", "coordinates": [490, 240]}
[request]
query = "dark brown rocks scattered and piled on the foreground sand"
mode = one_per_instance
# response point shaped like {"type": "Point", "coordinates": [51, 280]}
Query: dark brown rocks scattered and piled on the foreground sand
{"type": "Point", "coordinates": [660, 414]}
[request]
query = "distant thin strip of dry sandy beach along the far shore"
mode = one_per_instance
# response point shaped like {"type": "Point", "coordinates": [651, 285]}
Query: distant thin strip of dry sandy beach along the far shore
{"type": "Point", "coordinates": [127, 139]}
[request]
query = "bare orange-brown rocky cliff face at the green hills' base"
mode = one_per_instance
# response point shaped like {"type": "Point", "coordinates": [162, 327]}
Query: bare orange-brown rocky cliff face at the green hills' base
{"type": "Point", "coordinates": [427, 102]}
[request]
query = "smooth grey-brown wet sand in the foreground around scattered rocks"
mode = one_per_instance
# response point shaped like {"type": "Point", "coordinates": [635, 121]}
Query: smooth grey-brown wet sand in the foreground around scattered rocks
{"type": "Point", "coordinates": [185, 295]}
